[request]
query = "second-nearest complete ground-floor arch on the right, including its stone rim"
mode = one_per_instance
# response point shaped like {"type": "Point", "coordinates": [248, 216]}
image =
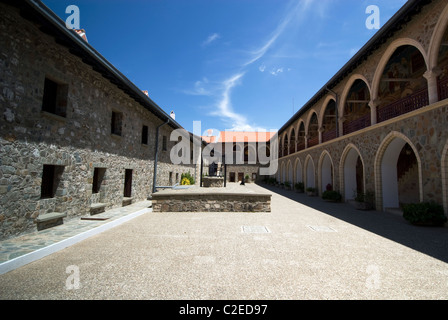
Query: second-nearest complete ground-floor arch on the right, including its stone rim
{"type": "Point", "coordinates": [350, 174]}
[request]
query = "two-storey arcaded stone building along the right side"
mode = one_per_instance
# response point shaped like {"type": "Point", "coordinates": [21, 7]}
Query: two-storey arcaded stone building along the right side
{"type": "Point", "coordinates": [380, 124]}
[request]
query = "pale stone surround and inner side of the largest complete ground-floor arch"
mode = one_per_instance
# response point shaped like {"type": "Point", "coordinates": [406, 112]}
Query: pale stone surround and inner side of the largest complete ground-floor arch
{"type": "Point", "coordinates": [386, 176]}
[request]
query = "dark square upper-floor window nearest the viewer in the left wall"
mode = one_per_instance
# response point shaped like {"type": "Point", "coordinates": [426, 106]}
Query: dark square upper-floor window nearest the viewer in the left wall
{"type": "Point", "coordinates": [55, 98]}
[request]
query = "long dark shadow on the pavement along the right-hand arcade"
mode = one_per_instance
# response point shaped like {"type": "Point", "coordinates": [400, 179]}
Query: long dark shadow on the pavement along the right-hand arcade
{"type": "Point", "coordinates": [432, 241]}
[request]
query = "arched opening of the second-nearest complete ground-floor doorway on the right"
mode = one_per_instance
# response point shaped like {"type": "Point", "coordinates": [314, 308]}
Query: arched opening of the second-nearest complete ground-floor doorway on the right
{"type": "Point", "coordinates": [353, 174]}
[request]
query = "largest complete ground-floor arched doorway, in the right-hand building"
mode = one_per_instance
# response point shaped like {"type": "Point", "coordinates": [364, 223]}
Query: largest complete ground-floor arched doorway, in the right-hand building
{"type": "Point", "coordinates": [400, 169]}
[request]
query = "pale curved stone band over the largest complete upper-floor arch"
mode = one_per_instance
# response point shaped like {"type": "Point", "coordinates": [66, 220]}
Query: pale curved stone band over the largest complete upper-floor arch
{"type": "Point", "coordinates": [386, 57]}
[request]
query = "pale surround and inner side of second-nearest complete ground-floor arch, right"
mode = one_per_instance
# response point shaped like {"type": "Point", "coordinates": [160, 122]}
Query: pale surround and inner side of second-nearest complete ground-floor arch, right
{"type": "Point", "coordinates": [347, 169]}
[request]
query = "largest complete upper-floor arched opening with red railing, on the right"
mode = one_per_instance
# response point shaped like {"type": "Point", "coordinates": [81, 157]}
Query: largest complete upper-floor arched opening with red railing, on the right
{"type": "Point", "coordinates": [402, 87]}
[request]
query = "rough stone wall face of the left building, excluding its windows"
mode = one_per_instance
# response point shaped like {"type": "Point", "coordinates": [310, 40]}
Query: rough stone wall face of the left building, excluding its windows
{"type": "Point", "coordinates": [80, 141]}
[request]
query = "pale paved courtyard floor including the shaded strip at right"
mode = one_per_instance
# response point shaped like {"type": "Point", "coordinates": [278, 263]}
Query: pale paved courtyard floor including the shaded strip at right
{"type": "Point", "coordinates": [304, 249]}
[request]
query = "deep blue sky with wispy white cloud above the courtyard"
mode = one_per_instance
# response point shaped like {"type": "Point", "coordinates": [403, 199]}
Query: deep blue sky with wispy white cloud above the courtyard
{"type": "Point", "coordinates": [231, 64]}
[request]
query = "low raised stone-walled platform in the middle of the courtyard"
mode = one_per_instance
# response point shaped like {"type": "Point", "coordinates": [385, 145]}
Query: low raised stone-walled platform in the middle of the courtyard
{"type": "Point", "coordinates": [233, 198]}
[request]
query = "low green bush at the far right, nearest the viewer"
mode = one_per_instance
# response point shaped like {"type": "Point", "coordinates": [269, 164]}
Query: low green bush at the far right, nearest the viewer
{"type": "Point", "coordinates": [424, 214]}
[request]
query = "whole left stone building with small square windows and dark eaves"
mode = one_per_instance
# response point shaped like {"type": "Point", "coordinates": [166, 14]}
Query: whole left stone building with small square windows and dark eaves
{"type": "Point", "coordinates": [76, 135]}
